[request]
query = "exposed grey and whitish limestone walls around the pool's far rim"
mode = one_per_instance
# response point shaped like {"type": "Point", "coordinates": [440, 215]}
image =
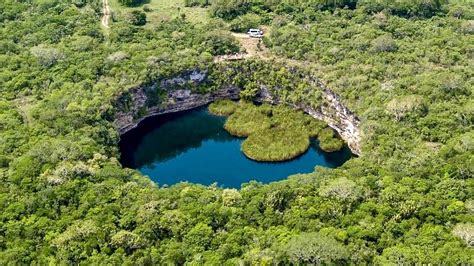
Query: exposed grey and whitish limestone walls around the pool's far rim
{"type": "Point", "coordinates": [333, 111]}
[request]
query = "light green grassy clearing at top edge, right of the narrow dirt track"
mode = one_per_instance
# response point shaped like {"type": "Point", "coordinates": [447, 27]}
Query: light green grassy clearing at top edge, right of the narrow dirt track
{"type": "Point", "coordinates": [165, 10]}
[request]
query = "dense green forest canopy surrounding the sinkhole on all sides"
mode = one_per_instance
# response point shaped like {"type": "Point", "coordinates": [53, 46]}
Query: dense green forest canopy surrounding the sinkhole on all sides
{"type": "Point", "coordinates": [405, 67]}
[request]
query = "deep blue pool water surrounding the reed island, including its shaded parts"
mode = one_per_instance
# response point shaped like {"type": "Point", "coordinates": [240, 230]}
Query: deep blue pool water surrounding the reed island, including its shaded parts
{"type": "Point", "coordinates": [192, 146]}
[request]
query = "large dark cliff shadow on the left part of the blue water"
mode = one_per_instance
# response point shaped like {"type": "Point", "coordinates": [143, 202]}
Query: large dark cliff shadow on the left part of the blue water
{"type": "Point", "coordinates": [163, 137]}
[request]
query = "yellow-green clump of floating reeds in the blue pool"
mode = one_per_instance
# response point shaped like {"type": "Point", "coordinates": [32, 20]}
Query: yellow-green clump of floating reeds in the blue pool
{"type": "Point", "coordinates": [274, 133]}
